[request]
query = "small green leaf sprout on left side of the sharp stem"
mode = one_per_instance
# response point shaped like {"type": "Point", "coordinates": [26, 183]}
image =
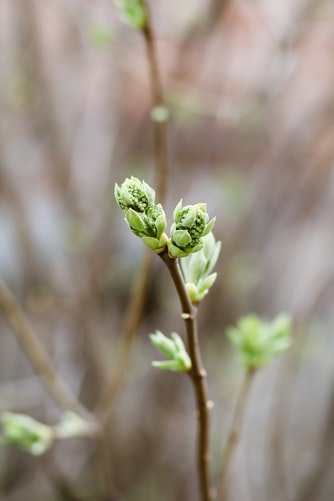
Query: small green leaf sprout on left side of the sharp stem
{"type": "Point", "coordinates": [174, 350]}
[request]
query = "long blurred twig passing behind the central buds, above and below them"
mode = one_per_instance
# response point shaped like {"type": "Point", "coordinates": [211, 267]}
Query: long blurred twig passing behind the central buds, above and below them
{"type": "Point", "coordinates": [135, 307]}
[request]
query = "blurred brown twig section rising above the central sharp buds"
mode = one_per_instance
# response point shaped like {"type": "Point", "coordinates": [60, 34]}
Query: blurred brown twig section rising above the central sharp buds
{"type": "Point", "coordinates": [159, 128]}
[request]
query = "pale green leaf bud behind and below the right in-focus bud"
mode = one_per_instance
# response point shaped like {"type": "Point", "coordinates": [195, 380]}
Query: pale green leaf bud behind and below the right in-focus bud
{"type": "Point", "coordinates": [197, 267]}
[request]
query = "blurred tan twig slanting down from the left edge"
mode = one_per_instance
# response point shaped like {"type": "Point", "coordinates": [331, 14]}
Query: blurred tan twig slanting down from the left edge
{"type": "Point", "coordinates": [37, 354]}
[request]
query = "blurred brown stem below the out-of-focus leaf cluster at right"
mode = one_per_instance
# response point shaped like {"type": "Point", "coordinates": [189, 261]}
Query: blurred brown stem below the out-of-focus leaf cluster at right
{"type": "Point", "coordinates": [234, 433]}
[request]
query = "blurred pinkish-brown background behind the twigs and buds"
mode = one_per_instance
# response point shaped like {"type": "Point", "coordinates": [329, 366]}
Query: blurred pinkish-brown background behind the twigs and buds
{"type": "Point", "coordinates": [249, 85]}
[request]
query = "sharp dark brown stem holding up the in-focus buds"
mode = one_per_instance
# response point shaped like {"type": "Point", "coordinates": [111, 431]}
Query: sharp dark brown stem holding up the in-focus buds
{"type": "Point", "coordinates": [198, 377]}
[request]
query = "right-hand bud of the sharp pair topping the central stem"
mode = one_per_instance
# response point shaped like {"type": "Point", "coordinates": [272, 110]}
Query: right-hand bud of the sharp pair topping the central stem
{"type": "Point", "coordinates": [190, 225]}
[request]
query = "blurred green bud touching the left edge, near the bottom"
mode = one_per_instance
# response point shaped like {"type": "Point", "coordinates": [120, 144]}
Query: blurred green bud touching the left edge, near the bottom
{"type": "Point", "coordinates": [24, 431]}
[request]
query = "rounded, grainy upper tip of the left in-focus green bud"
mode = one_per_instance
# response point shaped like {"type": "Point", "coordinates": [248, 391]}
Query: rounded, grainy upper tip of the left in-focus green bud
{"type": "Point", "coordinates": [134, 194]}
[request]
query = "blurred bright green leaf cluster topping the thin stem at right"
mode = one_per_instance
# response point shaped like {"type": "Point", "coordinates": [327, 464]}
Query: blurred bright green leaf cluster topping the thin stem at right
{"type": "Point", "coordinates": [258, 342]}
